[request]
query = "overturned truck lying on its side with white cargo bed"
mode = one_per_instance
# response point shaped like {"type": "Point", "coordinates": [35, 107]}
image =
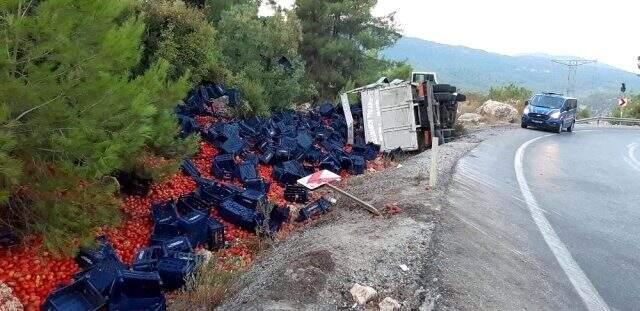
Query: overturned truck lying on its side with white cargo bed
{"type": "Point", "coordinates": [405, 115]}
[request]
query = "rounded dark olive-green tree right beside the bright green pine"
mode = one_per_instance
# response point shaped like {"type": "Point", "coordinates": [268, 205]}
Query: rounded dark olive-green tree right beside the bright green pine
{"type": "Point", "coordinates": [181, 35]}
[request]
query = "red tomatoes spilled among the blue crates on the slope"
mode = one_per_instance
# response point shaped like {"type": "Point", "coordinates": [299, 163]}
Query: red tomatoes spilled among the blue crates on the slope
{"type": "Point", "coordinates": [33, 273]}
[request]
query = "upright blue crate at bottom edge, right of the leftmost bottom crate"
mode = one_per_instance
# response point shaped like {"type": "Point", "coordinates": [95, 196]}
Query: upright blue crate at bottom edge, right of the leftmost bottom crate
{"type": "Point", "coordinates": [137, 290]}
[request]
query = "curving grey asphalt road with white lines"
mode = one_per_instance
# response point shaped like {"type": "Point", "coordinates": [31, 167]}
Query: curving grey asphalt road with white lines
{"type": "Point", "coordinates": [542, 221]}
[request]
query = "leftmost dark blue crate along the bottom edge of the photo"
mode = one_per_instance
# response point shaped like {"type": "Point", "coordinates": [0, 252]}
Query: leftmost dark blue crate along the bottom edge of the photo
{"type": "Point", "coordinates": [78, 296]}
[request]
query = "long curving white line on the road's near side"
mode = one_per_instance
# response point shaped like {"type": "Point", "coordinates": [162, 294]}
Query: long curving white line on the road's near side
{"type": "Point", "coordinates": [582, 284]}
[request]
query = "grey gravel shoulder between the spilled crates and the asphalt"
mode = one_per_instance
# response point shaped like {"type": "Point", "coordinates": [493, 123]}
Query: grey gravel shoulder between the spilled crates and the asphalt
{"type": "Point", "coordinates": [314, 268]}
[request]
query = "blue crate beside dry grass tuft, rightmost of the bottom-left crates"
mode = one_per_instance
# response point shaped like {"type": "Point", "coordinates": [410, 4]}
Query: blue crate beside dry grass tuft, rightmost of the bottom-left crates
{"type": "Point", "coordinates": [173, 270]}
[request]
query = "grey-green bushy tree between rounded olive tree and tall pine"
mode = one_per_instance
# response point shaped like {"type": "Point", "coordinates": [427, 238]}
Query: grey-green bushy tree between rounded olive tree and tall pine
{"type": "Point", "coordinates": [251, 48]}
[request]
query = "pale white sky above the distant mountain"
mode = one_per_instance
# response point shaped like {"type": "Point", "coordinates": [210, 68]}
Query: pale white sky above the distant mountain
{"type": "Point", "coordinates": [607, 31]}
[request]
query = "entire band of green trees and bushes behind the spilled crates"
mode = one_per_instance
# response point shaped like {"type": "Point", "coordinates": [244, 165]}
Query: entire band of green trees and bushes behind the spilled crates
{"type": "Point", "coordinates": [83, 100]}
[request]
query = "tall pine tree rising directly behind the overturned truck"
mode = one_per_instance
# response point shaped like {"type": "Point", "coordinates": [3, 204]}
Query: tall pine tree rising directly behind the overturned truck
{"type": "Point", "coordinates": [341, 42]}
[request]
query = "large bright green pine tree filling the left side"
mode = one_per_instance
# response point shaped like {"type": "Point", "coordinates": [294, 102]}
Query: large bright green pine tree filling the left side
{"type": "Point", "coordinates": [72, 113]}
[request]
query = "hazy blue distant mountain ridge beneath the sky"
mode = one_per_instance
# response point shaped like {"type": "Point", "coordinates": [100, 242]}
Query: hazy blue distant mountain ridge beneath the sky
{"type": "Point", "coordinates": [478, 70]}
